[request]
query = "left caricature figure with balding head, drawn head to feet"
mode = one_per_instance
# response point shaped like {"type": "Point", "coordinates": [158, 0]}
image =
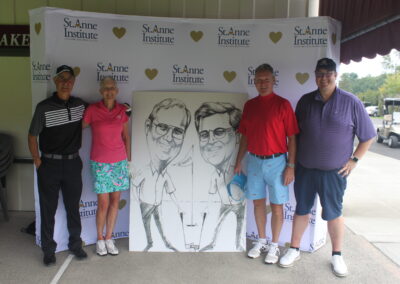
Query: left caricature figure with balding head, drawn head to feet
{"type": "Point", "coordinates": [165, 130]}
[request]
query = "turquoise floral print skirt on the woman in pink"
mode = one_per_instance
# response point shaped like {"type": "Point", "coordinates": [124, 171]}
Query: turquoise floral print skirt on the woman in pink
{"type": "Point", "coordinates": [110, 177]}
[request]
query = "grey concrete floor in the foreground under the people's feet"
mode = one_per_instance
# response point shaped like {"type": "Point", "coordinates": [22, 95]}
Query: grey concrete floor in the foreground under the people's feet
{"type": "Point", "coordinates": [21, 262]}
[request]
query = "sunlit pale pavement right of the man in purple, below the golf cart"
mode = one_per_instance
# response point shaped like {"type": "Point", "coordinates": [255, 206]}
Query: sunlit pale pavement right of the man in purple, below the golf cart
{"type": "Point", "coordinates": [372, 202]}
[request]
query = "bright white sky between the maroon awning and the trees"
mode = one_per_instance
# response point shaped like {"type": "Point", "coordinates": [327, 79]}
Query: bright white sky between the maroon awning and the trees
{"type": "Point", "coordinates": [365, 67]}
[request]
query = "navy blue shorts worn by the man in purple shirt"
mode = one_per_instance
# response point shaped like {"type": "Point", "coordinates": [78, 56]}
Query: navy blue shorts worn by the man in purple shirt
{"type": "Point", "coordinates": [329, 185]}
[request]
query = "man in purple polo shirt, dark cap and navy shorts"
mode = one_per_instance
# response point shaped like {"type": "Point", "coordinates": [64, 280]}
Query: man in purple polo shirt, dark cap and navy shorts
{"type": "Point", "coordinates": [329, 119]}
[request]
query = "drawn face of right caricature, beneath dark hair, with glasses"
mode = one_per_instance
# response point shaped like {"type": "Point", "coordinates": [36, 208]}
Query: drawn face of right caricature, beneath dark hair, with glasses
{"type": "Point", "coordinates": [217, 139]}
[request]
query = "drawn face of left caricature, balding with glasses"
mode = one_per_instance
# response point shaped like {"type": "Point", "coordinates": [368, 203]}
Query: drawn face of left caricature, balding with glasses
{"type": "Point", "coordinates": [166, 133]}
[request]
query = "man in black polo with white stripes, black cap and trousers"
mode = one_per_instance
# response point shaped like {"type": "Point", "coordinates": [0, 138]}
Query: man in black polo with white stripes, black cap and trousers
{"type": "Point", "coordinates": [57, 122]}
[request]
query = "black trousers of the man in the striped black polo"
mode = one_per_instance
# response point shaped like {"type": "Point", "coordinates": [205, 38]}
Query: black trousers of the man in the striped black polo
{"type": "Point", "coordinates": [54, 175]}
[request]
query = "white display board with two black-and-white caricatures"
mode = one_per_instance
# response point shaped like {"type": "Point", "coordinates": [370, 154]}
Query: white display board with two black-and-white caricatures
{"type": "Point", "coordinates": [180, 179]}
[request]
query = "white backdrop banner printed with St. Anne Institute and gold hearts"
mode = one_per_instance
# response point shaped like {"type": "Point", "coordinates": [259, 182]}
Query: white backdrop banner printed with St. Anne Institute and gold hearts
{"type": "Point", "coordinates": [171, 54]}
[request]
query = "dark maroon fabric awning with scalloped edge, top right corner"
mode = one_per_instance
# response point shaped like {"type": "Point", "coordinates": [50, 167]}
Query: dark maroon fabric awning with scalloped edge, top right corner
{"type": "Point", "coordinates": [369, 27]}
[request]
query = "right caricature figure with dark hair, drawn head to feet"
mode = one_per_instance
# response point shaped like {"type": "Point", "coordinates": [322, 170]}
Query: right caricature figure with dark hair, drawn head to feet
{"type": "Point", "coordinates": [216, 124]}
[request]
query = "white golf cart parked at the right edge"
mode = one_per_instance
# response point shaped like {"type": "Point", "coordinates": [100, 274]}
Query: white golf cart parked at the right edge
{"type": "Point", "coordinates": [389, 132]}
